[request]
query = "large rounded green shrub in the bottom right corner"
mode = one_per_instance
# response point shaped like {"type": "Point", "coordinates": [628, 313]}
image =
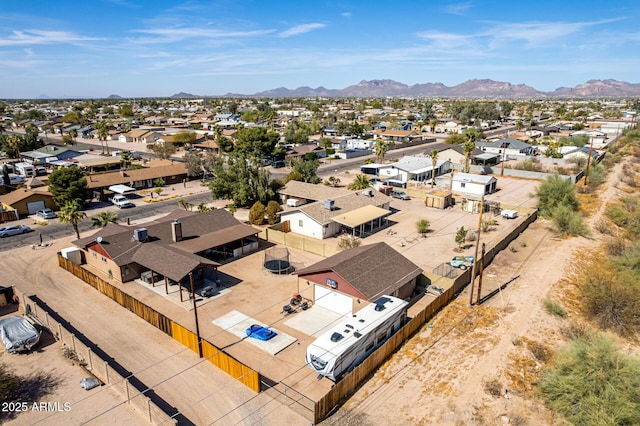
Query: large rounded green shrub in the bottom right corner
{"type": "Point", "coordinates": [593, 383]}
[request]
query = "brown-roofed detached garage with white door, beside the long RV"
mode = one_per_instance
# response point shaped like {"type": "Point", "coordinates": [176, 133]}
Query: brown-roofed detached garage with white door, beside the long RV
{"type": "Point", "coordinates": [346, 281]}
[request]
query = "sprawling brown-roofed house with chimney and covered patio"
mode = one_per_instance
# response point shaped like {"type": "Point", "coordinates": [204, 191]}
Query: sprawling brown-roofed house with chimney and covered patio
{"type": "Point", "coordinates": [170, 250]}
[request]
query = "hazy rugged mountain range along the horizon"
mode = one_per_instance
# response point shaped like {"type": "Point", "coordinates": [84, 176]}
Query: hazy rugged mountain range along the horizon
{"type": "Point", "coordinates": [484, 88]}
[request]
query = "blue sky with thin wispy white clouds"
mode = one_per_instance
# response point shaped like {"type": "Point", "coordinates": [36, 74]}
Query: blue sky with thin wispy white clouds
{"type": "Point", "coordinates": [156, 48]}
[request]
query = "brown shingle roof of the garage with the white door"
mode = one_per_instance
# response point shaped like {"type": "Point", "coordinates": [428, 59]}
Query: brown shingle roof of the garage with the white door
{"type": "Point", "coordinates": [373, 269]}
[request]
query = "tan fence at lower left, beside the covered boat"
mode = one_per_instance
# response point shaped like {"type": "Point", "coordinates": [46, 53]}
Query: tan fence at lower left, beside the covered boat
{"type": "Point", "coordinates": [97, 365]}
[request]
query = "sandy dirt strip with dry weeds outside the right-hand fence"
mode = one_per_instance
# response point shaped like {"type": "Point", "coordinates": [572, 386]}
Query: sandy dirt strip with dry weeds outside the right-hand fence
{"type": "Point", "coordinates": [478, 364]}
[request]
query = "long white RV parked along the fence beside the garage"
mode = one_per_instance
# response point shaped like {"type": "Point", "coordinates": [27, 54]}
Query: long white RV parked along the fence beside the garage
{"type": "Point", "coordinates": [341, 349]}
